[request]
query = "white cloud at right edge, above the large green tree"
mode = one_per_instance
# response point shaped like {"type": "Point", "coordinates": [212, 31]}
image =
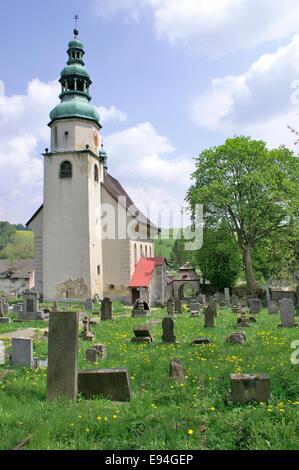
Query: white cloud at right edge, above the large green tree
{"type": "Point", "coordinates": [257, 102]}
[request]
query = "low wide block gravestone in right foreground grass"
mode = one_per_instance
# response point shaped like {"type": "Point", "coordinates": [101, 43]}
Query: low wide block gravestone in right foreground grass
{"type": "Point", "coordinates": [246, 388]}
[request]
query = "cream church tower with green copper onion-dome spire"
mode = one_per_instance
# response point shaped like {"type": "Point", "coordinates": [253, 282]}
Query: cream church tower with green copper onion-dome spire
{"type": "Point", "coordinates": [73, 174]}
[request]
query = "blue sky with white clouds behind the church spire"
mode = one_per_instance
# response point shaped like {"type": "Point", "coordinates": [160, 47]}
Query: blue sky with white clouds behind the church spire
{"type": "Point", "coordinates": [170, 78]}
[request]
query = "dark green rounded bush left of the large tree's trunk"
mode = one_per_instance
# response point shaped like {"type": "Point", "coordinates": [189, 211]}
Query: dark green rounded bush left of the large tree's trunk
{"type": "Point", "coordinates": [219, 260]}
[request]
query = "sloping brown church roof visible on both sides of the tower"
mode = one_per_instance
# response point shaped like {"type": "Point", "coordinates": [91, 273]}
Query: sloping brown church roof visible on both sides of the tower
{"type": "Point", "coordinates": [116, 190]}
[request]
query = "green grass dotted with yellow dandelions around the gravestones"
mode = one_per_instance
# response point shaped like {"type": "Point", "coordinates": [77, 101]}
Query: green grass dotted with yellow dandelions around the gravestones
{"type": "Point", "coordinates": [163, 414]}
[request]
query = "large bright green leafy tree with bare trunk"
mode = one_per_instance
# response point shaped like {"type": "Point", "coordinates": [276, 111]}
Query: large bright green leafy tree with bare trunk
{"type": "Point", "coordinates": [253, 189]}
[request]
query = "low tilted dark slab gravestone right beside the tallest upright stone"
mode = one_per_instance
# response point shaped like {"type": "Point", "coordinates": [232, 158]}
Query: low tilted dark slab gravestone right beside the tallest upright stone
{"type": "Point", "coordinates": [111, 383]}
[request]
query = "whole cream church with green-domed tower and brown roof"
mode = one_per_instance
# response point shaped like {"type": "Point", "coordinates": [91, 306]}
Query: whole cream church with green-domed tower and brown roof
{"type": "Point", "coordinates": [82, 247]}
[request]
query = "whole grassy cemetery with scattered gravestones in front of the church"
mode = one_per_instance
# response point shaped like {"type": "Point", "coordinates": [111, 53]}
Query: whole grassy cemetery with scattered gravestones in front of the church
{"type": "Point", "coordinates": [179, 383]}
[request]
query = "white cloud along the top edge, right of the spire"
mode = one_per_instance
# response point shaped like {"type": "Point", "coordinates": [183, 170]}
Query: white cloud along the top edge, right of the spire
{"type": "Point", "coordinates": [214, 27]}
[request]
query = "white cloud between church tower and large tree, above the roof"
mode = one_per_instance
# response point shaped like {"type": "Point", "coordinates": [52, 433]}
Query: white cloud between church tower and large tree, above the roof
{"type": "Point", "coordinates": [149, 168]}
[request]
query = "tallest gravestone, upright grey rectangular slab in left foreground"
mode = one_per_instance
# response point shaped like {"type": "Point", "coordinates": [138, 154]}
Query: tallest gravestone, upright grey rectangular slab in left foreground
{"type": "Point", "coordinates": [63, 355]}
